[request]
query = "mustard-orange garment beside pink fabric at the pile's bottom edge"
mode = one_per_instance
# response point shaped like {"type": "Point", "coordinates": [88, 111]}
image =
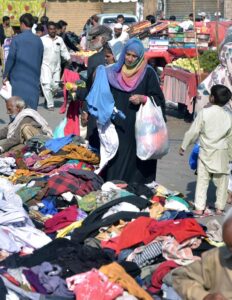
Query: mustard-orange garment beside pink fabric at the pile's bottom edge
{"type": "Point", "coordinates": [117, 274]}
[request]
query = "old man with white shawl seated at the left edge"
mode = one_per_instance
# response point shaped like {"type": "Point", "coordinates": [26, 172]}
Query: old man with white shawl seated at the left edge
{"type": "Point", "coordinates": [25, 123]}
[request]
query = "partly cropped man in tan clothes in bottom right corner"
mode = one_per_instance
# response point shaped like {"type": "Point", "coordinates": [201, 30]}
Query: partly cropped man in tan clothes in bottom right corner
{"type": "Point", "coordinates": [211, 277]}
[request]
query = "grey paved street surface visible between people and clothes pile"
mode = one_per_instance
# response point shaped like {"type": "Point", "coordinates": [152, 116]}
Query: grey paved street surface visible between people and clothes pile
{"type": "Point", "coordinates": [173, 170]}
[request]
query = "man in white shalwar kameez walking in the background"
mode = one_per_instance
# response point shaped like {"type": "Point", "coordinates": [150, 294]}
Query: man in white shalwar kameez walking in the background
{"type": "Point", "coordinates": [54, 49]}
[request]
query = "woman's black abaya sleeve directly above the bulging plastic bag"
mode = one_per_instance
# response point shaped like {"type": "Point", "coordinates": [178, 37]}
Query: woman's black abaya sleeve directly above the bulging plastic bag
{"type": "Point", "coordinates": [153, 90]}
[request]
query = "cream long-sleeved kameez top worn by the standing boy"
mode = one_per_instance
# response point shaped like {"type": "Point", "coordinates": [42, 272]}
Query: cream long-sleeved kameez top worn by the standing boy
{"type": "Point", "coordinates": [213, 128]}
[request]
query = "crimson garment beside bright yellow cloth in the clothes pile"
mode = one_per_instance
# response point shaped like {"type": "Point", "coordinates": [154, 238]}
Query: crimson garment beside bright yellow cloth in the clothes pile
{"type": "Point", "coordinates": [61, 219]}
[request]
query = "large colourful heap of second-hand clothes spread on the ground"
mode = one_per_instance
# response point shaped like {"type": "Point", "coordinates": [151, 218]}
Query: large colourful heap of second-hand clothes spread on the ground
{"type": "Point", "coordinates": [65, 234]}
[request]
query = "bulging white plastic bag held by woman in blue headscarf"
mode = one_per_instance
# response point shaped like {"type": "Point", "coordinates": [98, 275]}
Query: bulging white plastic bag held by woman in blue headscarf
{"type": "Point", "coordinates": [150, 132]}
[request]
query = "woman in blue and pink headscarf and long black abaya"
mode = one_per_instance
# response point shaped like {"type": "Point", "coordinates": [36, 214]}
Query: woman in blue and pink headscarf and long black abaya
{"type": "Point", "coordinates": [131, 81]}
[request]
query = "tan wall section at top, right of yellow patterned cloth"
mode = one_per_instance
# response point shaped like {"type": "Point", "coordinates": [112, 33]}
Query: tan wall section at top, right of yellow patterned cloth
{"type": "Point", "coordinates": [75, 12]}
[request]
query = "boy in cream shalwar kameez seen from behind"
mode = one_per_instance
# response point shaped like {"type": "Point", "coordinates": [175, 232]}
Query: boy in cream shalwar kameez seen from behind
{"type": "Point", "coordinates": [213, 128]}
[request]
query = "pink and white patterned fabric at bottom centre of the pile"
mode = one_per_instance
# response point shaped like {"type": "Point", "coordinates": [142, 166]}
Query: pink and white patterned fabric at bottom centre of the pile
{"type": "Point", "coordinates": [93, 285]}
